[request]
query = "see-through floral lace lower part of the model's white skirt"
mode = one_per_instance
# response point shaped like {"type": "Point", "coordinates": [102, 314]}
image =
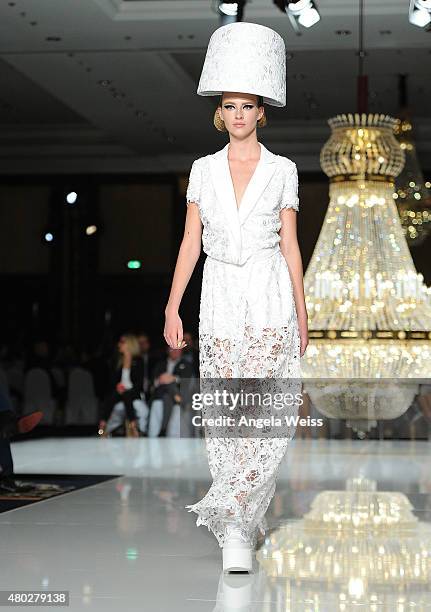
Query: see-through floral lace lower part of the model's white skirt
{"type": "Point", "coordinates": [244, 470]}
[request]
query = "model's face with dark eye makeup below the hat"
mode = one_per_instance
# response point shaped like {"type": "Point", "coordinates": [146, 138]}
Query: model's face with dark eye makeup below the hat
{"type": "Point", "coordinates": [240, 113]}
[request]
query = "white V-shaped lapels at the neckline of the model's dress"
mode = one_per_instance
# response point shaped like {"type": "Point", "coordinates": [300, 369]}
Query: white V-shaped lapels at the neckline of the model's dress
{"type": "Point", "coordinates": [225, 192]}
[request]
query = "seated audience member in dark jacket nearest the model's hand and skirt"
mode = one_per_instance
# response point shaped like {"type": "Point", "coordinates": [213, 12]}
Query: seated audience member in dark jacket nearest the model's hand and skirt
{"type": "Point", "coordinates": [173, 377]}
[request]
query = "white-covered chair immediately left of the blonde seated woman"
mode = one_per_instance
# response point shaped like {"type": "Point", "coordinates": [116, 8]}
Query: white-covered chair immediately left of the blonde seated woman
{"type": "Point", "coordinates": [82, 405]}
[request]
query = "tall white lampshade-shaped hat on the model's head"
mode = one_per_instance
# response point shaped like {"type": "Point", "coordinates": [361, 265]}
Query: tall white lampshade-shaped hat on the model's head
{"type": "Point", "coordinates": [247, 58]}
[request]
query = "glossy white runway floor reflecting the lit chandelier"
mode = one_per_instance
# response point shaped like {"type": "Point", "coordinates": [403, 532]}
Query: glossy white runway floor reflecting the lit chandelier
{"type": "Point", "coordinates": [128, 544]}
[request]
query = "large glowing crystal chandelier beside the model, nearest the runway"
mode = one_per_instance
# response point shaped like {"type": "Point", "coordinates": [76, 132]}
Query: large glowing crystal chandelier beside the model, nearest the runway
{"type": "Point", "coordinates": [369, 310]}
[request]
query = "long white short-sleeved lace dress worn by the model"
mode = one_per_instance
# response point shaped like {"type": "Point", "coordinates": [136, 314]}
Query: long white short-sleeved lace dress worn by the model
{"type": "Point", "coordinates": [247, 325]}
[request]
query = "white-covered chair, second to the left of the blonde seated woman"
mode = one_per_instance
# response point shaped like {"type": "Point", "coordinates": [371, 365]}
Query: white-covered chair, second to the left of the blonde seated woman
{"type": "Point", "coordinates": [38, 395]}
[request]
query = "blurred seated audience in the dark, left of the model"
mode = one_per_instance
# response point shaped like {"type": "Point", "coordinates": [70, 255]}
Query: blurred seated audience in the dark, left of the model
{"type": "Point", "coordinates": [118, 386]}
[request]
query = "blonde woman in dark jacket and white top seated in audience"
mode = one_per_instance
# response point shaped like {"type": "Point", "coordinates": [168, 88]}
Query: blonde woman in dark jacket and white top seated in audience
{"type": "Point", "coordinates": [127, 384]}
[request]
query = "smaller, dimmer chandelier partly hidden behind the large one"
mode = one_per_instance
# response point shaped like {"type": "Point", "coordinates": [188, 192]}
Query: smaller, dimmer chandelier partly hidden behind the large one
{"type": "Point", "coordinates": [412, 194]}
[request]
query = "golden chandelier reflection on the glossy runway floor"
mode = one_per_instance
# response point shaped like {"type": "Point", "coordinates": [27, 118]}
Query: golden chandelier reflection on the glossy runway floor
{"type": "Point", "coordinates": [362, 544]}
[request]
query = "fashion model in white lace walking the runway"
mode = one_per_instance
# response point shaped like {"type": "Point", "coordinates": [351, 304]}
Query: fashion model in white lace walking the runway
{"type": "Point", "coordinates": [242, 202]}
